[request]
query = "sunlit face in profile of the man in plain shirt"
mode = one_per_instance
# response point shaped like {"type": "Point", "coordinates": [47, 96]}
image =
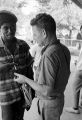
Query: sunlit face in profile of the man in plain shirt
{"type": "Point", "coordinates": [38, 35]}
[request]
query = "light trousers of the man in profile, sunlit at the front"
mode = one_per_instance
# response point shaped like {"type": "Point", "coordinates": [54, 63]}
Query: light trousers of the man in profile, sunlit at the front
{"type": "Point", "coordinates": [46, 109]}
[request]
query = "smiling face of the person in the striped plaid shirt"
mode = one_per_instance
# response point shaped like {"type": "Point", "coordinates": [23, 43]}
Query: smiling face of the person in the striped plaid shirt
{"type": "Point", "coordinates": [7, 31]}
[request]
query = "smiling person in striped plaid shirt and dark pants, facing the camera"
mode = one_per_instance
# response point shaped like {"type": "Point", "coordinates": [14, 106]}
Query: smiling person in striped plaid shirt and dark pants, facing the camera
{"type": "Point", "coordinates": [14, 56]}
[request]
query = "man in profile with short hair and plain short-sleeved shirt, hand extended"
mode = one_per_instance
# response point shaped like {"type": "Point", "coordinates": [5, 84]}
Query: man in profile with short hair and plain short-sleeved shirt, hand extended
{"type": "Point", "coordinates": [52, 72]}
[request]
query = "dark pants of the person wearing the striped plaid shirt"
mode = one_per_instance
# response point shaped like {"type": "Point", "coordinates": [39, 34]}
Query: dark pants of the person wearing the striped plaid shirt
{"type": "Point", "coordinates": [14, 111]}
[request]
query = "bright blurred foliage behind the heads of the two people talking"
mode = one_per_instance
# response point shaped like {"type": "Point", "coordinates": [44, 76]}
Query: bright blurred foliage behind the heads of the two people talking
{"type": "Point", "coordinates": [65, 13]}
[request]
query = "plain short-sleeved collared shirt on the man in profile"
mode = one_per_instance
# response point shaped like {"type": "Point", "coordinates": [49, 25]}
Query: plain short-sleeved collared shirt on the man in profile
{"type": "Point", "coordinates": [54, 68]}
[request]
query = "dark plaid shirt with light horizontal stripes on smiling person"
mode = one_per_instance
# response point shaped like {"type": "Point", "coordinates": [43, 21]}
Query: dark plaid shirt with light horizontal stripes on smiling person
{"type": "Point", "coordinates": [9, 89]}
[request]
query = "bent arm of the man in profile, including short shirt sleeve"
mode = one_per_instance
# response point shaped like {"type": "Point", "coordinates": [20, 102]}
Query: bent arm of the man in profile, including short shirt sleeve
{"type": "Point", "coordinates": [47, 72]}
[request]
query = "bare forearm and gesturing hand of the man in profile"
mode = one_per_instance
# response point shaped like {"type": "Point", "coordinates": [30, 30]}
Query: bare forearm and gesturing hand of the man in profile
{"type": "Point", "coordinates": [43, 89]}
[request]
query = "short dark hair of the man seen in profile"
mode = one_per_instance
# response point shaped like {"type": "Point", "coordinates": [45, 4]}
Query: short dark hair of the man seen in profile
{"type": "Point", "coordinates": [45, 21]}
